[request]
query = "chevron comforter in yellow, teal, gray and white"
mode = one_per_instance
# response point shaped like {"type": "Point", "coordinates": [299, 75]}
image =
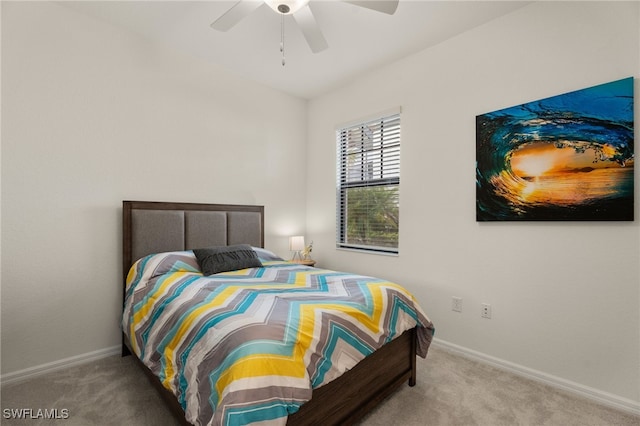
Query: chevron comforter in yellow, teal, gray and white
{"type": "Point", "coordinates": [250, 345]}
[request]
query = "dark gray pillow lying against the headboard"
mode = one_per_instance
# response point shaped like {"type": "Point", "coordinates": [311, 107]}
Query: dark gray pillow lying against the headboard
{"type": "Point", "coordinates": [214, 260]}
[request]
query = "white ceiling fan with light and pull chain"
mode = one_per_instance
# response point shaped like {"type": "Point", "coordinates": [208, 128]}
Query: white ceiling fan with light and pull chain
{"type": "Point", "coordinates": [300, 11]}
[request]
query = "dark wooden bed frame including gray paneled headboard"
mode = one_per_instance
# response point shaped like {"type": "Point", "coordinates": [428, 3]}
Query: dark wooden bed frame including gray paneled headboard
{"type": "Point", "coordinates": [152, 227]}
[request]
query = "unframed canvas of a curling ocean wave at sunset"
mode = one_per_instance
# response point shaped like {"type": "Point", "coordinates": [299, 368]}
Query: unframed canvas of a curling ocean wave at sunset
{"type": "Point", "coordinates": [567, 157]}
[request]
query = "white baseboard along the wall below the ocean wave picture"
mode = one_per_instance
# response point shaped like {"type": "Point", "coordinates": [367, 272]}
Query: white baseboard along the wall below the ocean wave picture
{"type": "Point", "coordinates": [601, 397]}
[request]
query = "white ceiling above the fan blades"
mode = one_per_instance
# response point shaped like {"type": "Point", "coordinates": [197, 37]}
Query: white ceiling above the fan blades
{"type": "Point", "coordinates": [359, 39]}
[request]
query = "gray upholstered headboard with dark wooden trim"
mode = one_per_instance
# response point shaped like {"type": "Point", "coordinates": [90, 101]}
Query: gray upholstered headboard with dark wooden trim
{"type": "Point", "coordinates": [154, 227]}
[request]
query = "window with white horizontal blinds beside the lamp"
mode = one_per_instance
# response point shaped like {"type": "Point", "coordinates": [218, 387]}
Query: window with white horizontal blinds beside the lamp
{"type": "Point", "coordinates": [368, 185]}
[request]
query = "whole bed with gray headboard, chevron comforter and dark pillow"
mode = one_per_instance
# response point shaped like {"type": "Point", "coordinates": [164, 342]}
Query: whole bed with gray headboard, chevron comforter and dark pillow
{"type": "Point", "coordinates": [334, 387]}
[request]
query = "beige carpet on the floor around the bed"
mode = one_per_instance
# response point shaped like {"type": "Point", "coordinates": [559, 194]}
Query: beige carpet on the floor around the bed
{"type": "Point", "coordinates": [451, 390]}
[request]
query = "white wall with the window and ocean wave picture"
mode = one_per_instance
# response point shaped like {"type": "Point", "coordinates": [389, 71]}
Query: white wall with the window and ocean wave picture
{"type": "Point", "coordinates": [565, 296]}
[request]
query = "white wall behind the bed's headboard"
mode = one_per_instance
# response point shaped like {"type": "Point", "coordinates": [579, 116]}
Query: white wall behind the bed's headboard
{"type": "Point", "coordinates": [93, 115]}
